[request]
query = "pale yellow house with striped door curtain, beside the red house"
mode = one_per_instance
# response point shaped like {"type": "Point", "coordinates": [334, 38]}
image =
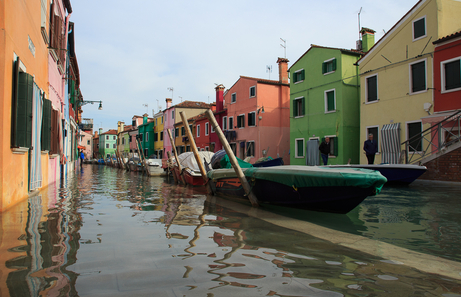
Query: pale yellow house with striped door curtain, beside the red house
{"type": "Point", "coordinates": [396, 77]}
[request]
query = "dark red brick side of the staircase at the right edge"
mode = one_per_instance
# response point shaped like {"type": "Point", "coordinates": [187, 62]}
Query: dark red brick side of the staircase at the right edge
{"type": "Point", "coordinates": [445, 167]}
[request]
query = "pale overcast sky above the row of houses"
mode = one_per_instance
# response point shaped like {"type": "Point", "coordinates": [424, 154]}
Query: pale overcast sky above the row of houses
{"type": "Point", "coordinates": [130, 52]}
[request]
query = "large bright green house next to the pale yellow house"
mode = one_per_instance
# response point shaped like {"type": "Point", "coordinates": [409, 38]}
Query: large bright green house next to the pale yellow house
{"type": "Point", "coordinates": [324, 101]}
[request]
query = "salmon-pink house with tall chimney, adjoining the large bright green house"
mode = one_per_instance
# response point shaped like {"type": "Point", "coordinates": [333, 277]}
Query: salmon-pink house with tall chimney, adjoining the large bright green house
{"type": "Point", "coordinates": [258, 116]}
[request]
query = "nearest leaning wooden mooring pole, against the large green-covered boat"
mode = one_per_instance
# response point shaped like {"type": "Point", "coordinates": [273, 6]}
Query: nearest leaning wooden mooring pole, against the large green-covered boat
{"type": "Point", "coordinates": [233, 160]}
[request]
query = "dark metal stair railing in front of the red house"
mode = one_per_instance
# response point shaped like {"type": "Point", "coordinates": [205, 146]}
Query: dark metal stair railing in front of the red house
{"type": "Point", "coordinates": [434, 139]}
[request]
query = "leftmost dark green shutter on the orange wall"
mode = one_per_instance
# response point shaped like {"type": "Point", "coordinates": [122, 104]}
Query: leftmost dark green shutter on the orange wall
{"type": "Point", "coordinates": [23, 133]}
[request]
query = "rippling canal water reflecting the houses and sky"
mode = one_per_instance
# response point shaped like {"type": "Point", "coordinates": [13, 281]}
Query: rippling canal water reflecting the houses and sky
{"type": "Point", "coordinates": [106, 232]}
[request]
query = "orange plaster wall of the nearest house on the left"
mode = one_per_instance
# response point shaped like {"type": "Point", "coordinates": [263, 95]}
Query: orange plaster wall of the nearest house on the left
{"type": "Point", "coordinates": [19, 19]}
